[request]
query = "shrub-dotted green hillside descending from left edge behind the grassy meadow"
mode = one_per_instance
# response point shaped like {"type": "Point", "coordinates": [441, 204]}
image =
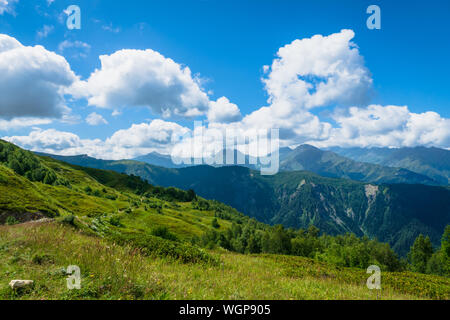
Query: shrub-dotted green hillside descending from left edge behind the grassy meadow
{"type": "Point", "coordinates": [95, 196]}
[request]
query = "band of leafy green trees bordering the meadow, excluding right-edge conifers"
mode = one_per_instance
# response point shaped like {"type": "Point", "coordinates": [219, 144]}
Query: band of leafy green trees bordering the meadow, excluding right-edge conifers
{"type": "Point", "coordinates": [342, 250]}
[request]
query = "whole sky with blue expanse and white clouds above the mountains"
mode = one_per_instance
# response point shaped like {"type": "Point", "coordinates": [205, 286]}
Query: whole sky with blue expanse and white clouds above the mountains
{"type": "Point", "coordinates": [138, 73]}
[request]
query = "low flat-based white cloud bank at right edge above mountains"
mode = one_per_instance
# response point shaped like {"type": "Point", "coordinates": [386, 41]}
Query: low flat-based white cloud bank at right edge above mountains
{"type": "Point", "coordinates": [387, 126]}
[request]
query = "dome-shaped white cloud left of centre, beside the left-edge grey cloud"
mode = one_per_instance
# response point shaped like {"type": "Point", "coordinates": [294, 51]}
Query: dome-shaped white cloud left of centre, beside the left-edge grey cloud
{"type": "Point", "coordinates": [132, 78]}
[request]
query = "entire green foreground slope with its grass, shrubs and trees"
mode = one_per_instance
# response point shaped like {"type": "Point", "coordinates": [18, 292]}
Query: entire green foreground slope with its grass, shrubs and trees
{"type": "Point", "coordinates": [134, 240]}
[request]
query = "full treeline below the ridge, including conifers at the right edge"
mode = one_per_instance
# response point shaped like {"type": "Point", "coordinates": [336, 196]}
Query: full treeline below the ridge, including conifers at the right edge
{"type": "Point", "coordinates": [346, 250]}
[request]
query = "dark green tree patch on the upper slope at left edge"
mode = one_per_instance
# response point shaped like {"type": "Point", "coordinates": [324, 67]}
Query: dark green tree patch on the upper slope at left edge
{"type": "Point", "coordinates": [26, 164]}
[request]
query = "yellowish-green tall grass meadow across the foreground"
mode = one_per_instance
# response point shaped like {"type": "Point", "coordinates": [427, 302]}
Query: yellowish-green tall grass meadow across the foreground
{"type": "Point", "coordinates": [41, 252]}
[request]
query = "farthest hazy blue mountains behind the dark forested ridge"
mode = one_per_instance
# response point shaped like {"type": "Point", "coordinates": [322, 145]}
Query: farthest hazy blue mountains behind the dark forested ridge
{"type": "Point", "coordinates": [430, 166]}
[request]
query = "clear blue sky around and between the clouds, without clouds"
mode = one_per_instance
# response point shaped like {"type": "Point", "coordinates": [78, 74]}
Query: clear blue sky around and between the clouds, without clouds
{"type": "Point", "coordinates": [228, 42]}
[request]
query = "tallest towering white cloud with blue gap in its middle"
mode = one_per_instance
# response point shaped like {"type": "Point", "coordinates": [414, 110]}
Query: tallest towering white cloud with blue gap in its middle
{"type": "Point", "coordinates": [319, 71]}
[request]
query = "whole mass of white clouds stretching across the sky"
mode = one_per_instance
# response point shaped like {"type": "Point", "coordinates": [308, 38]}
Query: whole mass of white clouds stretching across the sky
{"type": "Point", "coordinates": [322, 71]}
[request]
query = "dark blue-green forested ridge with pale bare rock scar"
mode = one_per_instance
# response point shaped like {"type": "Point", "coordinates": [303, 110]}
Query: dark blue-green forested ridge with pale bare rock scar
{"type": "Point", "coordinates": [394, 213]}
